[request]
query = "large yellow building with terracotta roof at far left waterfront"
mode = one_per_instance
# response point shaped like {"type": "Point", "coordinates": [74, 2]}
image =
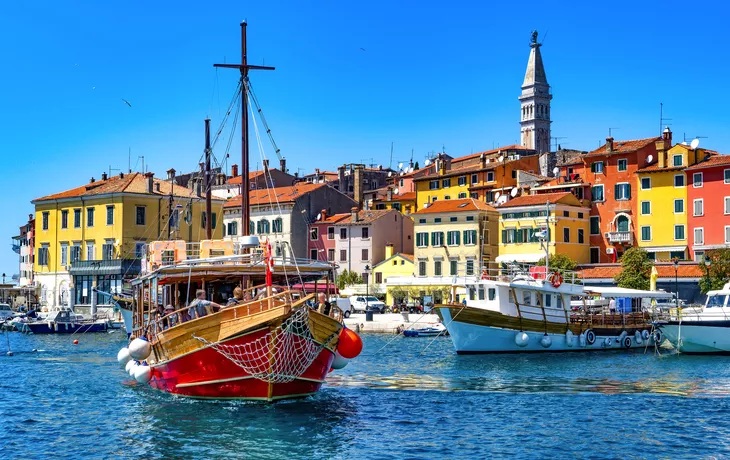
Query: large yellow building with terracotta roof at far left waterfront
{"type": "Point", "coordinates": [96, 233]}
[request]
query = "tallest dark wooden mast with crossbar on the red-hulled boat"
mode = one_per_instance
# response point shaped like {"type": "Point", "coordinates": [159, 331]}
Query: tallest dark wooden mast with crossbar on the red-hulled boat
{"type": "Point", "coordinates": [244, 68]}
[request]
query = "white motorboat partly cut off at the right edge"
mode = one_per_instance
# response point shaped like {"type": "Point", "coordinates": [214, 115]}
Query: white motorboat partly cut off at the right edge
{"type": "Point", "coordinates": [704, 329]}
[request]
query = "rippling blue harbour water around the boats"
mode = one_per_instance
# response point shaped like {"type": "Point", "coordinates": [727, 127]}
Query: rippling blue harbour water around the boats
{"type": "Point", "coordinates": [402, 398]}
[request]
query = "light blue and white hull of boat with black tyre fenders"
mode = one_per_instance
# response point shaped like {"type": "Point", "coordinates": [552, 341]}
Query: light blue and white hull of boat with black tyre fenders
{"type": "Point", "coordinates": [475, 338]}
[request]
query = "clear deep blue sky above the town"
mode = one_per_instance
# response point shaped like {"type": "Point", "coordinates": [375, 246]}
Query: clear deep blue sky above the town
{"type": "Point", "coordinates": [432, 75]}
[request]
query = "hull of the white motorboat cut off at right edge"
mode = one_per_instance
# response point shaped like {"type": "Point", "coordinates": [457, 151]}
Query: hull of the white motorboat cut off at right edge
{"type": "Point", "coordinates": [700, 337]}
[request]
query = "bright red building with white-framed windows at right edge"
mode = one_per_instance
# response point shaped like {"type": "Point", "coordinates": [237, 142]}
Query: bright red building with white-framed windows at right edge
{"type": "Point", "coordinates": [710, 181]}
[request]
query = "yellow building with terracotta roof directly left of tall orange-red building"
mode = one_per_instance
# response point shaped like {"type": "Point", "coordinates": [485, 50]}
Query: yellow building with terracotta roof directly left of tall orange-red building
{"type": "Point", "coordinates": [521, 218]}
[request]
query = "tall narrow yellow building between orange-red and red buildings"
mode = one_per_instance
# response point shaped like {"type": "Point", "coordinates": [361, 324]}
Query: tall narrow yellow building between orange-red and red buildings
{"type": "Point", "coordinates": [662, 205]}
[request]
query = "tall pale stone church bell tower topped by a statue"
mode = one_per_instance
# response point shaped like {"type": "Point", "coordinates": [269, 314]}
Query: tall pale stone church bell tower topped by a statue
{"type": "Point", "coordinates": [535, 102]}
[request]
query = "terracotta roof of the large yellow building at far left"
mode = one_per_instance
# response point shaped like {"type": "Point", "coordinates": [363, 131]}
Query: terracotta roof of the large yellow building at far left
{"type": "Point", "coordinates": [130, 183]}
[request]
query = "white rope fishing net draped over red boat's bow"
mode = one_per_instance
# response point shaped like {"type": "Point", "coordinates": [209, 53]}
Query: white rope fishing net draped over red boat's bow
{"type": "Point", "coordinates": [281, 355]}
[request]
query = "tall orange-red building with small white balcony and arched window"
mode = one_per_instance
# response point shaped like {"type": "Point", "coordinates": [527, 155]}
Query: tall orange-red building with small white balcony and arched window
{"type": "Point", "coordinates": [613, 187]}
